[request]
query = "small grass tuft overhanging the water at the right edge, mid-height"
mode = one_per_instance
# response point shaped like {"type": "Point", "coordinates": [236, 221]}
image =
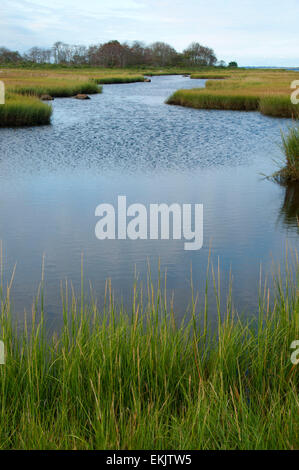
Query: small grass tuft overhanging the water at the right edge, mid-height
{"type": "Point", "coordinates": [290, 145]}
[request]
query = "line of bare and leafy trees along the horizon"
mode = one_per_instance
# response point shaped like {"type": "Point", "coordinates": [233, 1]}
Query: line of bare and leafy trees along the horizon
{"type": "Point", "coordinates": [114, 54]}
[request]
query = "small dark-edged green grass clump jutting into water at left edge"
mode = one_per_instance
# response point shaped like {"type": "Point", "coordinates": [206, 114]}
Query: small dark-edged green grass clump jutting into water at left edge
{"type": "Point", "coordinates": [24, 111]}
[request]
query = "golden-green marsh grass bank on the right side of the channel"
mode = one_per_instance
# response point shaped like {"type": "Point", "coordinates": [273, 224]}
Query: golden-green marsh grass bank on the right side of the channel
{"type": "Point", "coordinates": [265, 91]}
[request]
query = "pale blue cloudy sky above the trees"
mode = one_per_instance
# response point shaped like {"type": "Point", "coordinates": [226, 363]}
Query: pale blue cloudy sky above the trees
{"type": "Point", "coordinates": [252, 32]}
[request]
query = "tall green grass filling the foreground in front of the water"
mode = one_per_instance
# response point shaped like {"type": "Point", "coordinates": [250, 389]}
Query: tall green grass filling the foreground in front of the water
{"type": "Point", "coordinates": [113, 380]}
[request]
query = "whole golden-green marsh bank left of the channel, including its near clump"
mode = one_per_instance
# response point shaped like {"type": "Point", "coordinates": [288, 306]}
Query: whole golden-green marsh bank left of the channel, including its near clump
{"type": "Point", "coordinates": [57, 83]}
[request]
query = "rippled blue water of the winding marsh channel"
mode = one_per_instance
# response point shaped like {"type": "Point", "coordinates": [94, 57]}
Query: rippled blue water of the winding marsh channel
{"type": "Point", "coordinates": [126, 141]}
